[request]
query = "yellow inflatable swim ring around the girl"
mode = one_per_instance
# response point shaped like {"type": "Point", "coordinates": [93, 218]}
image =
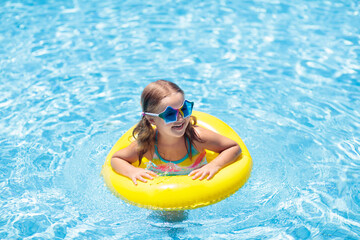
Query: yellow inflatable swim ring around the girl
{"type": "Point", "coordinates": [181, 192]}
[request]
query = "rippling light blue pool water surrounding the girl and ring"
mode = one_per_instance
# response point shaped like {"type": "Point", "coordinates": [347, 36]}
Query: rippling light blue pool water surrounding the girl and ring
{"type": "Point", "coordinates": [285, 76]}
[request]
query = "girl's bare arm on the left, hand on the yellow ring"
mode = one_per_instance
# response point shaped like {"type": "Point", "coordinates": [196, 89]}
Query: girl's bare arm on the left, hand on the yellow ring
{"type": "Point", "coordinates": [121, 162]}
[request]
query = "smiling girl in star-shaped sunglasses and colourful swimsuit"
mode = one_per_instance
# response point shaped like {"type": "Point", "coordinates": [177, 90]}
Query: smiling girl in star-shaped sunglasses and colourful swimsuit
{"type": "Point", "coordinates": [176, 145]}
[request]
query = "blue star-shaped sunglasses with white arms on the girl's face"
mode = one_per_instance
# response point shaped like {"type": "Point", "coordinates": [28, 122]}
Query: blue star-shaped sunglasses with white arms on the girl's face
{"type": "Point", "coordinates": [170, 114]}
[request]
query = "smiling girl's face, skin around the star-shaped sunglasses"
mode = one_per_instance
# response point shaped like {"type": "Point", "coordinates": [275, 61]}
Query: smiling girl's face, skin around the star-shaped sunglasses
{"type": "Point", "coordinates": [175, 129]}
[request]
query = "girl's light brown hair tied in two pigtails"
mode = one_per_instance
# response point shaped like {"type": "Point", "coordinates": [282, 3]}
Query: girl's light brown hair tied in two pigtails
{"type": "Point", "coordinates": [151, 97]}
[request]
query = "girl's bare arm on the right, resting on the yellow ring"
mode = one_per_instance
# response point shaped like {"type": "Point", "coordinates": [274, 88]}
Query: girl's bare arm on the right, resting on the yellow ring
{"type": "Point", "coordinates": [228, 151]}
